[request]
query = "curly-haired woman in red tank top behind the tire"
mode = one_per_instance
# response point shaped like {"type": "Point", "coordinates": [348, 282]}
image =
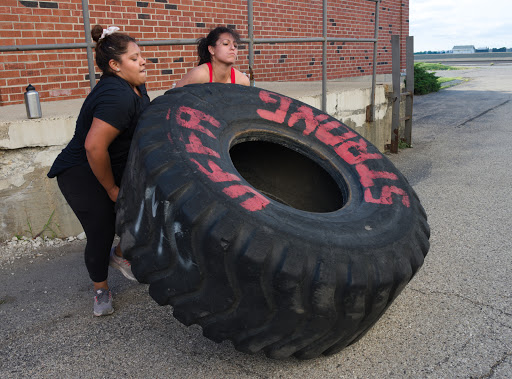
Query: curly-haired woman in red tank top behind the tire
{"type": "Point", "coordinates": [217, 54]}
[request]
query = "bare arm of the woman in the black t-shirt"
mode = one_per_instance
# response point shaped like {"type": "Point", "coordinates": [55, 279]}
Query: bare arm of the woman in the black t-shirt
{"type": "Point", "coordinates": [98, 140]}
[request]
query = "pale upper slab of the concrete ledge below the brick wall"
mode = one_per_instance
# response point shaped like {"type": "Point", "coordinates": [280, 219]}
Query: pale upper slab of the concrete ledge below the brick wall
{"type": "Point", "coordinates": [346, 101]}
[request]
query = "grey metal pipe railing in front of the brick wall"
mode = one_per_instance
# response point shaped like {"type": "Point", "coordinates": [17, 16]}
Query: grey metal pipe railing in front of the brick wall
{"type": "Point", "coordinates": [89, 44]}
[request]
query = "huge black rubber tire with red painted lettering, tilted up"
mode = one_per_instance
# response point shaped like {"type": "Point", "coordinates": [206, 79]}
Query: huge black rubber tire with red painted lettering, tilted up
{"type": "Point", "coordinates": [266, 221]}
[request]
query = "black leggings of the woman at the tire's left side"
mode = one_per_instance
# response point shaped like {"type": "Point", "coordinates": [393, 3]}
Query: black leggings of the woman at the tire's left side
{"type": "Point", "coordinates": [96, 212]}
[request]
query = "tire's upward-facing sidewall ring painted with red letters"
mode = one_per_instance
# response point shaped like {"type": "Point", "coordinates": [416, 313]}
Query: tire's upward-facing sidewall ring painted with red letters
{"type": "Point", "coordinates": [234, 116]}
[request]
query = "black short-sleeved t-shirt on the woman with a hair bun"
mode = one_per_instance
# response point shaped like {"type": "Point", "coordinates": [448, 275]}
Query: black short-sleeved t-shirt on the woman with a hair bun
{"type": "Point", "coordinates": [112, 100]}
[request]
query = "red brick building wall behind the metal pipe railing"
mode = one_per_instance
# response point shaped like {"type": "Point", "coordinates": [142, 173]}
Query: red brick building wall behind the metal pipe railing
{"type": "Point", "coordinates": [63, 74]}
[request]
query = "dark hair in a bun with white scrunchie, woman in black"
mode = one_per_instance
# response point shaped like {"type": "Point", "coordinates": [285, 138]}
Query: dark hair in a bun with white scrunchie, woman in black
{"type": "Point", "coordinates": [109, 47]}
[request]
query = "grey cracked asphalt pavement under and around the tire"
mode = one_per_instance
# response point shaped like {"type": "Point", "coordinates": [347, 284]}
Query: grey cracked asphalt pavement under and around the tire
{"type": "Point", "coordinates": [453, 320]}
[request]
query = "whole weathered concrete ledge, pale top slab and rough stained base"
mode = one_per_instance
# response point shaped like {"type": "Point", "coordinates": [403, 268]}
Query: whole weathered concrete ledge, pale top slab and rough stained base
{"type": "Point", "coordinates": [29, 147]}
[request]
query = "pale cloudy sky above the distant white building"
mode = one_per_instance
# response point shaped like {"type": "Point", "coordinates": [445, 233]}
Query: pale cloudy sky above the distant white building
{"type": "Point", "coordinates": [441, 24]}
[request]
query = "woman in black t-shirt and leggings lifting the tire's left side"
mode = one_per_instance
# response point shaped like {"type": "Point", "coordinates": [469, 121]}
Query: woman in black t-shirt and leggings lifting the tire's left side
{"type": "Point", "coordinates": [90, 168]}
